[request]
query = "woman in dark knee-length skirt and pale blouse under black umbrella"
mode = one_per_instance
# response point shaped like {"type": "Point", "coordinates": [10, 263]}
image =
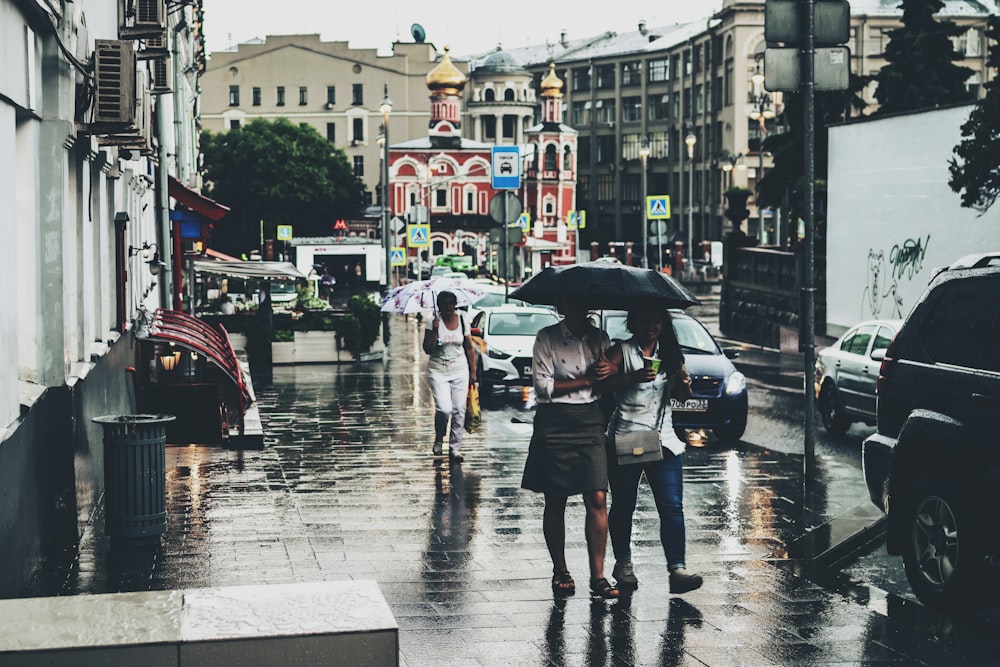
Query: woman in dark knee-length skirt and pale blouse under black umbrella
{"type": "Point", "coordinates": [566, 455]}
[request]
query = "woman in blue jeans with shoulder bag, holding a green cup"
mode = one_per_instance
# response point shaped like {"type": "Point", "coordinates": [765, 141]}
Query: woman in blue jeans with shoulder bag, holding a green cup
{"type": "Point", "coordinates": [642, 402]}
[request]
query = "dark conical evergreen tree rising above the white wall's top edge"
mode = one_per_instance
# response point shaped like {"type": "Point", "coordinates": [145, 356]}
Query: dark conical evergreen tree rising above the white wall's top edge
{"type": "Point", "coordinates": [921, 72]}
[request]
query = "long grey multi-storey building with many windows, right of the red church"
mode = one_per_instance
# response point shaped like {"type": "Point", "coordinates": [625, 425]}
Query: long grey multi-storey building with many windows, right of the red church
{"type": "Point", "coordinates": [695, 89]}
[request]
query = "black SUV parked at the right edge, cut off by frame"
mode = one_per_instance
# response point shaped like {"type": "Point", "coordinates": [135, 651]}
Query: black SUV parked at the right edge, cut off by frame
{"type": "Point", "coordinates": [934, 464]}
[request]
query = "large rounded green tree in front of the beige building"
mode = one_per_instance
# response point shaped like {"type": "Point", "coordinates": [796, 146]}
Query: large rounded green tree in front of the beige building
{"type": "Point", "coordinates": [280, 173]}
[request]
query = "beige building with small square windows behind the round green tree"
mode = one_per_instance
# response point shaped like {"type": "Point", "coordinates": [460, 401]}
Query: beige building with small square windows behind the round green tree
{"type": "Point", "coordinates": [335, 88]}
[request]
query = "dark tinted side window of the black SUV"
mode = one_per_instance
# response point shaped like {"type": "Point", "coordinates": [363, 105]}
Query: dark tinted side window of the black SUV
{"type": "Point", "coordinates": [957, 330]}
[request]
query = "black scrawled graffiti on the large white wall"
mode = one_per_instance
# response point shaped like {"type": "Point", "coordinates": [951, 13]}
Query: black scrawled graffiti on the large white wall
{"type": "Point", "coordinates": [881, 298]}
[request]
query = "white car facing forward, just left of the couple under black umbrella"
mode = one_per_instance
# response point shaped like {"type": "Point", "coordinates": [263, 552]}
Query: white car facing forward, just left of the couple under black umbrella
{"type": "Point", "coordinates": [509, 335]}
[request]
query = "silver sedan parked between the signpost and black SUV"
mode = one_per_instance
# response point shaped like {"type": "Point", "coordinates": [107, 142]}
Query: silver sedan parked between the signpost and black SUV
{"type": "Point", "coordinates": [846, 373]}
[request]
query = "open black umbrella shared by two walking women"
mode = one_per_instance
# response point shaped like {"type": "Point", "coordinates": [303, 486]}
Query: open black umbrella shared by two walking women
{"type": "Point", "coordinates": [604, 285]}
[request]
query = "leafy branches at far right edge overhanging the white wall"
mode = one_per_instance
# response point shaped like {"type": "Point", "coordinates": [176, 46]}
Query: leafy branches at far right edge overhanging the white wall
{"type": "Point", "coordinates": [975, 169]}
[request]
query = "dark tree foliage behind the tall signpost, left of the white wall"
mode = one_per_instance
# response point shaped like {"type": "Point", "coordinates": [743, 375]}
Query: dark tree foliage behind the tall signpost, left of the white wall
{"type": "Point", "coordinates": [788, 148]}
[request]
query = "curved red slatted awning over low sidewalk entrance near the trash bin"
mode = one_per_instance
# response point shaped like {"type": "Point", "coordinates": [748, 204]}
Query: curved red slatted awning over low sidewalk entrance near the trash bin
{"type": "Point", "coordinates": [174, 326]}
